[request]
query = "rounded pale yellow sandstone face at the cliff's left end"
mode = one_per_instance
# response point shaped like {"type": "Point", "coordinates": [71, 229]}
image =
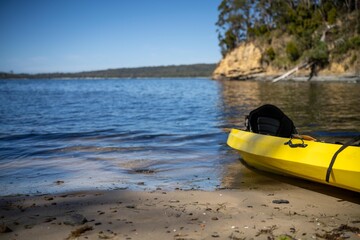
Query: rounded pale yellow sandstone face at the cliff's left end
{"type": "Point", "coordinates": [241, 63]}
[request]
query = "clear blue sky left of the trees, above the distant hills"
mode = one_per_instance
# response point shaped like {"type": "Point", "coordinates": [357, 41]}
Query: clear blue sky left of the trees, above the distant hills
{"type": "Point", "coordinates": [81, 35]}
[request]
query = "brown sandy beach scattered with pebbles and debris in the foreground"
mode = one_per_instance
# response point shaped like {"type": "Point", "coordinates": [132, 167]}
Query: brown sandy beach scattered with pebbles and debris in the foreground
{"type": "Point", "coordinates": [253, 212]}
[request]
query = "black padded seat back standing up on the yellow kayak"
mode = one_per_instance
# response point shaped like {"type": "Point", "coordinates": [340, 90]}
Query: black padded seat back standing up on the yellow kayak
{"type": "Point", "coordinates": [270, 120]}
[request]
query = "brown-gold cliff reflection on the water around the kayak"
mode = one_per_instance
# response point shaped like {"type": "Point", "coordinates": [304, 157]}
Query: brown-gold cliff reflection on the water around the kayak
{"type": "Point", "coordinates": [328, 111]}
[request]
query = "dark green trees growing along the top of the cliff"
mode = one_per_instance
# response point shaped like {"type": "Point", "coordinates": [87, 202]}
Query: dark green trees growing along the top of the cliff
{"type": "Point", "coordinates": [307, 21]}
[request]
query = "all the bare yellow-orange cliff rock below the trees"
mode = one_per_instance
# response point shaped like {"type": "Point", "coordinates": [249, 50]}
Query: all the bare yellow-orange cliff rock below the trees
{"type": "Point", "coordinates": [249, 61]}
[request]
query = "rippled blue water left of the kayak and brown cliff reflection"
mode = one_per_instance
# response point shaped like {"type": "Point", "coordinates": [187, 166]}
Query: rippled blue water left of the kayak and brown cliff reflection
{"type": "Point", "coordinates": [110, 134]}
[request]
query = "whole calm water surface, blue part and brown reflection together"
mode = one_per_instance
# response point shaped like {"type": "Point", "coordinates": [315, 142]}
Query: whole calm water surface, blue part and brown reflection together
{"type": "Point", "coordinates": [60, 135]}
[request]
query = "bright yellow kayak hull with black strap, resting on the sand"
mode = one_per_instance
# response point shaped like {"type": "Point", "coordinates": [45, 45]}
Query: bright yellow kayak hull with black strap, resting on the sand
{"type": "Point", "coordinates": [315, 161]}
